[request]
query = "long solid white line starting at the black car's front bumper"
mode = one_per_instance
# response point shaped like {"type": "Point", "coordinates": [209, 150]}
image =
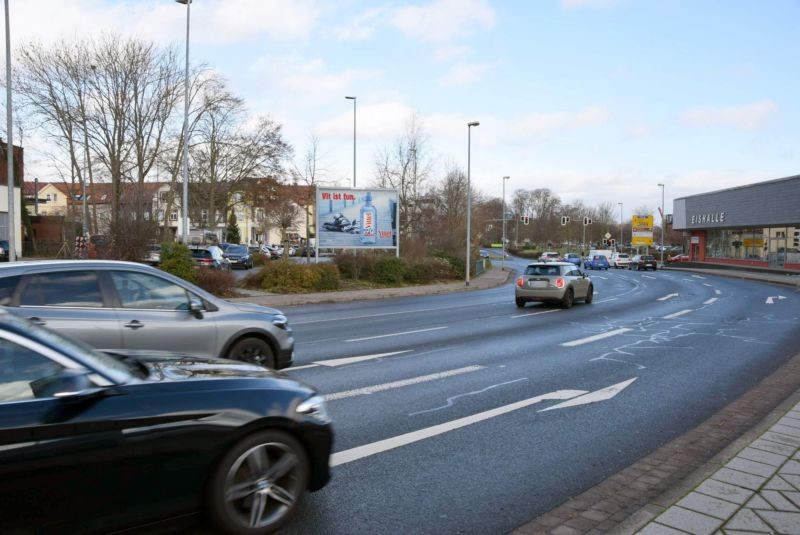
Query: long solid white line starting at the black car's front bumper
{"type": "Point", "coordinates": [367, 450]}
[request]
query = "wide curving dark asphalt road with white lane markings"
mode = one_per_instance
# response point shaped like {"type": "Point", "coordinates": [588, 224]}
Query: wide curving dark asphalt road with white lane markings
{"type": "Point", "coordinates": [439, 402]}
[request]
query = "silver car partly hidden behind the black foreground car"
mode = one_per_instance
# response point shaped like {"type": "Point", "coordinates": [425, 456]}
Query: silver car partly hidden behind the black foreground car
{"type": "Point", "coordinates": [124, 305]}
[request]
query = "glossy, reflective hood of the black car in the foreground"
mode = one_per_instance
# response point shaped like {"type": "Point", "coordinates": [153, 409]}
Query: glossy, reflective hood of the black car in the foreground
{"type": "Point", "coordinates": [166, 366]}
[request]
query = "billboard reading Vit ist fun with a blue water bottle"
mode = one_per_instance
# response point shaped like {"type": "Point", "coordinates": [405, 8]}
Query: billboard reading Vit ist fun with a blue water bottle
{"type": "Point", "coordinates": [357, 218]}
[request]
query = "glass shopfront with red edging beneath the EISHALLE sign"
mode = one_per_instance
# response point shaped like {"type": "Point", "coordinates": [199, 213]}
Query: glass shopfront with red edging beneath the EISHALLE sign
{"type": "Point", "coordinates": [775, 245]}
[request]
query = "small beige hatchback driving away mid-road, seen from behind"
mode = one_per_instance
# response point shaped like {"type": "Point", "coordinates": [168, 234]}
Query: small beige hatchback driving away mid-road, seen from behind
{"type": "Point", "coordinates": [556, 282]}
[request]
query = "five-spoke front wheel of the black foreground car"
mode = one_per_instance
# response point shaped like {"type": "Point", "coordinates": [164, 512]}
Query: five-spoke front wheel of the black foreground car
{"type": "Point", "coordinates": [258, 484]}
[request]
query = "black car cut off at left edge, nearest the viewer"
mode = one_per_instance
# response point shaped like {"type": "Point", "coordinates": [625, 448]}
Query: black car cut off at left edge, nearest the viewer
{"type": "Point", "coordinates": [96, 442]}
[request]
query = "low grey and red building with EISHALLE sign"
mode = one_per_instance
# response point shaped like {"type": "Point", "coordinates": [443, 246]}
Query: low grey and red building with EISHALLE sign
{"type": "Point", "coordinates": [753, 225]}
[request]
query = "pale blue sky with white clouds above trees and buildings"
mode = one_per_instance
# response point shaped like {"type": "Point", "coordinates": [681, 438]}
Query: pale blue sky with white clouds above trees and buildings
{"type": "Point", "coordinates": [597, 100]}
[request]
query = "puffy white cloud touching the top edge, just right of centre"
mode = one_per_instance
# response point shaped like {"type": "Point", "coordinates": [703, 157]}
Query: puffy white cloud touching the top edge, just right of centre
{"type": "Point", "coordinates": [443, 20]}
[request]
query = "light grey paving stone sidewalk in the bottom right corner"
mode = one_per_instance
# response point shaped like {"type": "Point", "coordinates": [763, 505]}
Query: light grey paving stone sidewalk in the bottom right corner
{"type": "Point", "coordinates": [758, 491]}
